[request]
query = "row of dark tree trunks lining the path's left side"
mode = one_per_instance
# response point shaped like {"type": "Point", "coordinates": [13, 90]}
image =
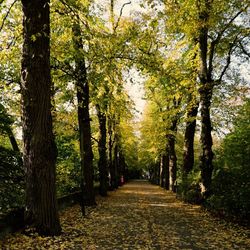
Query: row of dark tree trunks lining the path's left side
{"type": "Point", "coordinates": [40, 150]}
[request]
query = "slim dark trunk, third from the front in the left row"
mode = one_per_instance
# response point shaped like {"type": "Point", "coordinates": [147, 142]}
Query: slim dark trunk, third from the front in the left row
{"type": "Point", "coordinates": [102, 163]}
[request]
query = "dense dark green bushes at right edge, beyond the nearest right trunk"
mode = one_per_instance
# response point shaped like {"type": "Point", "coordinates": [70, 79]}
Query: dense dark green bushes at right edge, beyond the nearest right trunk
{"type": "Point", "coordinates": [231, 187]}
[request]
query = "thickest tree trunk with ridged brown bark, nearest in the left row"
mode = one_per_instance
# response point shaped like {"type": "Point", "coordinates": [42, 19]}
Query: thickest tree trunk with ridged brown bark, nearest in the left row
{"type": "Point", "coordinates": [39, 146]}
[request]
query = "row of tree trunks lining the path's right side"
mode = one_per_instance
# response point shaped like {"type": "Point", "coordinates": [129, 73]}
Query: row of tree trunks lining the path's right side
{"type": "Point", "coordinates": [205, 91]}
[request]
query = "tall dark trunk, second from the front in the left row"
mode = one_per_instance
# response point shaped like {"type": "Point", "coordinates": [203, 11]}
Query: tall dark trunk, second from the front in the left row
{"type": "Point", "coordinates": [82, 88]}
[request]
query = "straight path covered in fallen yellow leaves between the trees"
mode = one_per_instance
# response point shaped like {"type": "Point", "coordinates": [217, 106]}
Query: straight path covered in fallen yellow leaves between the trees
{"type": "Point", "coordinates": [138, 216]}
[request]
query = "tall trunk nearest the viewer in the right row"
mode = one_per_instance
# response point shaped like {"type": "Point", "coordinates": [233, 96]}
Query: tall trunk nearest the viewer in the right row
{"type": "Point", "coordinates": [206, 90]}
